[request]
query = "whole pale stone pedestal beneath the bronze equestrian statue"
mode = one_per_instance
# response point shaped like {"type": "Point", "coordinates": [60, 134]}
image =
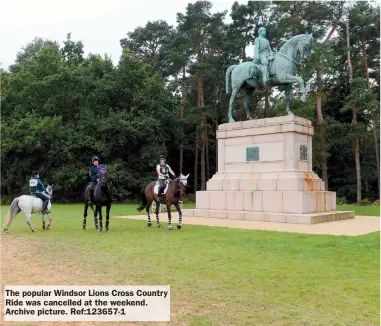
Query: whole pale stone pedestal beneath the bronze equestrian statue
{"type": "Point", "coordinates": [265, 174]}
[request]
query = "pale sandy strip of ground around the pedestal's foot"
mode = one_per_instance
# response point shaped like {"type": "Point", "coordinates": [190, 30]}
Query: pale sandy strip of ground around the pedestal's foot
{"type": "Point", "coordinates": [353, 227]}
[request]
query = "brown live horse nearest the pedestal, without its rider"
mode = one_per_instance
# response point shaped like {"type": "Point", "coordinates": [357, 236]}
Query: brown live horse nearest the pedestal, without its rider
{"type": "Point", "coordinates": [174, 190]}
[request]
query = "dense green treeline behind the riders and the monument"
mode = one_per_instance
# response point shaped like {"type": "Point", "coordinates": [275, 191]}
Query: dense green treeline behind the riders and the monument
{"type": "Point", "coordinates": [166, 96]}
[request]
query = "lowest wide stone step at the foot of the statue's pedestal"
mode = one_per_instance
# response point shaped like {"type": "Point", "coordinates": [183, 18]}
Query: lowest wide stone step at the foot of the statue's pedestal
{"type": "Point", "coordinates": [312, 218]}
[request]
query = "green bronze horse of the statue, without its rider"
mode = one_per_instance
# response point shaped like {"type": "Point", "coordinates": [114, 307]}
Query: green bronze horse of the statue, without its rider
{"type": "Point", "coordinates": [247, 75]}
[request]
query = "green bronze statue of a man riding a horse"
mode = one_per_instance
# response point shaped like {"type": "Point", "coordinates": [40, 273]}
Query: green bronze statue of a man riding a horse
{"type": "Point", "coordinates": [269, 68]}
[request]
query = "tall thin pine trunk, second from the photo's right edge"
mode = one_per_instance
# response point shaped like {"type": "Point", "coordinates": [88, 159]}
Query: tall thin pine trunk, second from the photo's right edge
{"type": "Point", "coordinates": [354, 121]}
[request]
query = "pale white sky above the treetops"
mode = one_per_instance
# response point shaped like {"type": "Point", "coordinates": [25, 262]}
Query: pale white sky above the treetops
{"type": "Point", "coordinates": [98, 24]}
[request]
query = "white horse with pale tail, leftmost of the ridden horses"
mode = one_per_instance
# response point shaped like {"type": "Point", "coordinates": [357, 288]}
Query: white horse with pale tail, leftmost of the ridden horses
{"type": "Point", "coordinates": [29, 205]}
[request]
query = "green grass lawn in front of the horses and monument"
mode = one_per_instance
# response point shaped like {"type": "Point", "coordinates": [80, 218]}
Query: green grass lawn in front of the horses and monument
{"type": "Point", "coordinates": [225, 276]}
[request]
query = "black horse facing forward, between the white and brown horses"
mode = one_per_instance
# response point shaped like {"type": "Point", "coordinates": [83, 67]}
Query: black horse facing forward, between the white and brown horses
{"type": "Point", "coordinates": [102, 197]}
